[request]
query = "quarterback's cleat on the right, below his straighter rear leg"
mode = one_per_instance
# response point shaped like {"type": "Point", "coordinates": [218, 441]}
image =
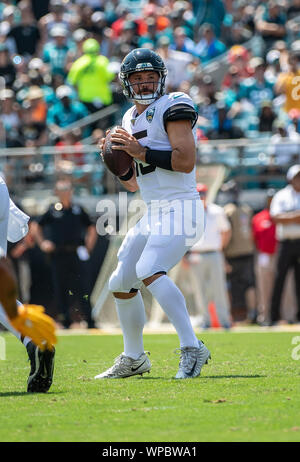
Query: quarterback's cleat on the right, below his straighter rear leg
{"type": "Point", "coordinates": [192, 360]}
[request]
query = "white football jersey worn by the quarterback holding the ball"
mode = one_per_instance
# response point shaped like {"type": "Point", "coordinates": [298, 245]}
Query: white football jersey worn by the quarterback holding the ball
{"type": "Point", "coordinates": [157, 183]}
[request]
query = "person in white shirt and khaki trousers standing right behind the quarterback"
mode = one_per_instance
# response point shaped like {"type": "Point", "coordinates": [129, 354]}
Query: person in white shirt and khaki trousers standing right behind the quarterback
{"type": "Point", "coordinates": [207, 263]}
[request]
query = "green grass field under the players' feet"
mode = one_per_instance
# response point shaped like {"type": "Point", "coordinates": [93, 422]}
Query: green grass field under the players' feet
{"type": "Point", "coordinates": [248, 392]}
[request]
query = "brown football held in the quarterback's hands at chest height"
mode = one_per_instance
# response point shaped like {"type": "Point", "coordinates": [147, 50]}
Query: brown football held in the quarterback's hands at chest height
{"type": "Point", "coordinates": [117, 161]}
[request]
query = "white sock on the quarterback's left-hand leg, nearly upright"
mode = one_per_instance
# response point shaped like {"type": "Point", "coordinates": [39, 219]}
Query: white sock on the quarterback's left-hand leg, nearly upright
{"type": "Point", "coordinates": [131, 312]}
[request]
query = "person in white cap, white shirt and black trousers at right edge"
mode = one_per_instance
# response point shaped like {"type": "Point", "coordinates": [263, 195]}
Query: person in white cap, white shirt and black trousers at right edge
{"type": "Point", "coordinates": [285, 211]}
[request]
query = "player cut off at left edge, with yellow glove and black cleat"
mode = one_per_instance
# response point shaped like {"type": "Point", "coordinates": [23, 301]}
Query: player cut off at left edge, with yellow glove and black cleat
{"type": "Point", "coordinates": [28, 323]}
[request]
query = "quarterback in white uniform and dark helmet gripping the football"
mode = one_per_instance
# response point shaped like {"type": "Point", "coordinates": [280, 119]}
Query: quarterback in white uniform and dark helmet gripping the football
{"type": "Point", "coordinates": [158, 133]}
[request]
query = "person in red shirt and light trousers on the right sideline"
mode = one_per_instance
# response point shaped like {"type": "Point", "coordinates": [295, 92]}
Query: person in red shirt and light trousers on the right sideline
{"type": "Point", "coordinates": [264, 235]}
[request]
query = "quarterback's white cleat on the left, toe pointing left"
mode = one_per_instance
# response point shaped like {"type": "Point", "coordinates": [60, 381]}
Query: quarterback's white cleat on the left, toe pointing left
{"type": "Point", "coordinates": [124, 366]}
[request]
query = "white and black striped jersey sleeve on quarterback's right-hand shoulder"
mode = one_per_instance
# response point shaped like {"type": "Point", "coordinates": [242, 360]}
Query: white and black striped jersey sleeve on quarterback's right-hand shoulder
{"type": "Point", "coordinates": [179, 106]}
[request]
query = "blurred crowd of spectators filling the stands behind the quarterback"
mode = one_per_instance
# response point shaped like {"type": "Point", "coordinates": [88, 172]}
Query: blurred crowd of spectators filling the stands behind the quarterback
{"type": "Point", "coordinates": [59, 61]}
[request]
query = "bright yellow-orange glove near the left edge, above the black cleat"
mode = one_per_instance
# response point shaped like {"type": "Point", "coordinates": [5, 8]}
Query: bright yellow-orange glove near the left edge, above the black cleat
{"type": "Point", "coordinates": [32, 322]}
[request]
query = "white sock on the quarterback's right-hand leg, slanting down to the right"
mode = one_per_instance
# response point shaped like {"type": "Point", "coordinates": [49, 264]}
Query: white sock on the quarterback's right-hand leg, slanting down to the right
{"type": "Point", "coordinates": [173, 303]}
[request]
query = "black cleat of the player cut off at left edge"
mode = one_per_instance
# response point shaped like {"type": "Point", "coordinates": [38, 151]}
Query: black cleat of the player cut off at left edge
{"type": "Point", "coordinates": [42, 367]}
